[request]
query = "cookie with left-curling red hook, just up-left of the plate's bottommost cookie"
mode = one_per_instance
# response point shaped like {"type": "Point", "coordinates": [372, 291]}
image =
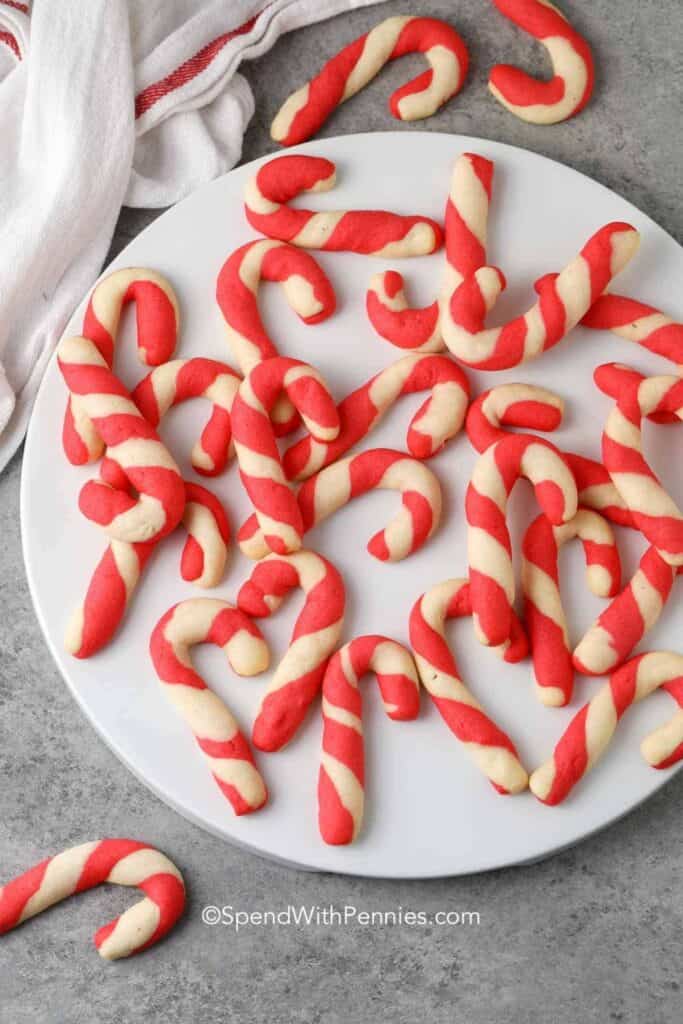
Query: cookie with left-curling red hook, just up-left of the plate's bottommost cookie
{"type": "Point", "coordinates": [298, 678]}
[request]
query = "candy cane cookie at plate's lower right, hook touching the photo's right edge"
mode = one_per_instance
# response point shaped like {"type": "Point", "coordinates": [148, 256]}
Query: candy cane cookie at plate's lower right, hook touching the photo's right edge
{"type": "Point", "coordinates": [591, 731]}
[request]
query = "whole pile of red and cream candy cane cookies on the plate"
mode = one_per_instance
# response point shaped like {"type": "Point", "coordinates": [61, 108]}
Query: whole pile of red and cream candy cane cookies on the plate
{"type": "Point", "coordinates": [141, 496]}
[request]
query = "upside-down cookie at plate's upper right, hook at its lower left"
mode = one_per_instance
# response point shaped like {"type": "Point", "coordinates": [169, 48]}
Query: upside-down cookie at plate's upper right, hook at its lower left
{"type": "Point", "coordinates": [563, 302]}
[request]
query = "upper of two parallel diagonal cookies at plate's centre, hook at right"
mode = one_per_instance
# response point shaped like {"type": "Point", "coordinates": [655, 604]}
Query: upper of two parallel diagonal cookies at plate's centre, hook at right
{"type": "Point", "coordinates": [438, 421]}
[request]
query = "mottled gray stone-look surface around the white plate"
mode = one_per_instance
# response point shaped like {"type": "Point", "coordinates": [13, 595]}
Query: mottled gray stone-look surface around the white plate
{"type": "Point", "coordinates": [590, 935]}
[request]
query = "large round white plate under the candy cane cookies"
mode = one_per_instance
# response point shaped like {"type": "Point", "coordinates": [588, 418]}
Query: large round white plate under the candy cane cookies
{"type": "Point", "coordinates": [430, 813]}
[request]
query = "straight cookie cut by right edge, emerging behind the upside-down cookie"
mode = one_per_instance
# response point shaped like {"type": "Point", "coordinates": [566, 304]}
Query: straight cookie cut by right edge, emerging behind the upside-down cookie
{"type": "Point", "coordinates": [639, 323]}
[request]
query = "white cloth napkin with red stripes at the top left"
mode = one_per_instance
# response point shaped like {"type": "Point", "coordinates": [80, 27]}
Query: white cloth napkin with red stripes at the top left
{"type": "Point", "coordinates": [106, 104]}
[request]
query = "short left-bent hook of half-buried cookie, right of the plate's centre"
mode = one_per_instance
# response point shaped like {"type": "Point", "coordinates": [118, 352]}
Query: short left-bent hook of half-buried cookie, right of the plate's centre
{"type": "Point", "coordinates": [511, 406]}
